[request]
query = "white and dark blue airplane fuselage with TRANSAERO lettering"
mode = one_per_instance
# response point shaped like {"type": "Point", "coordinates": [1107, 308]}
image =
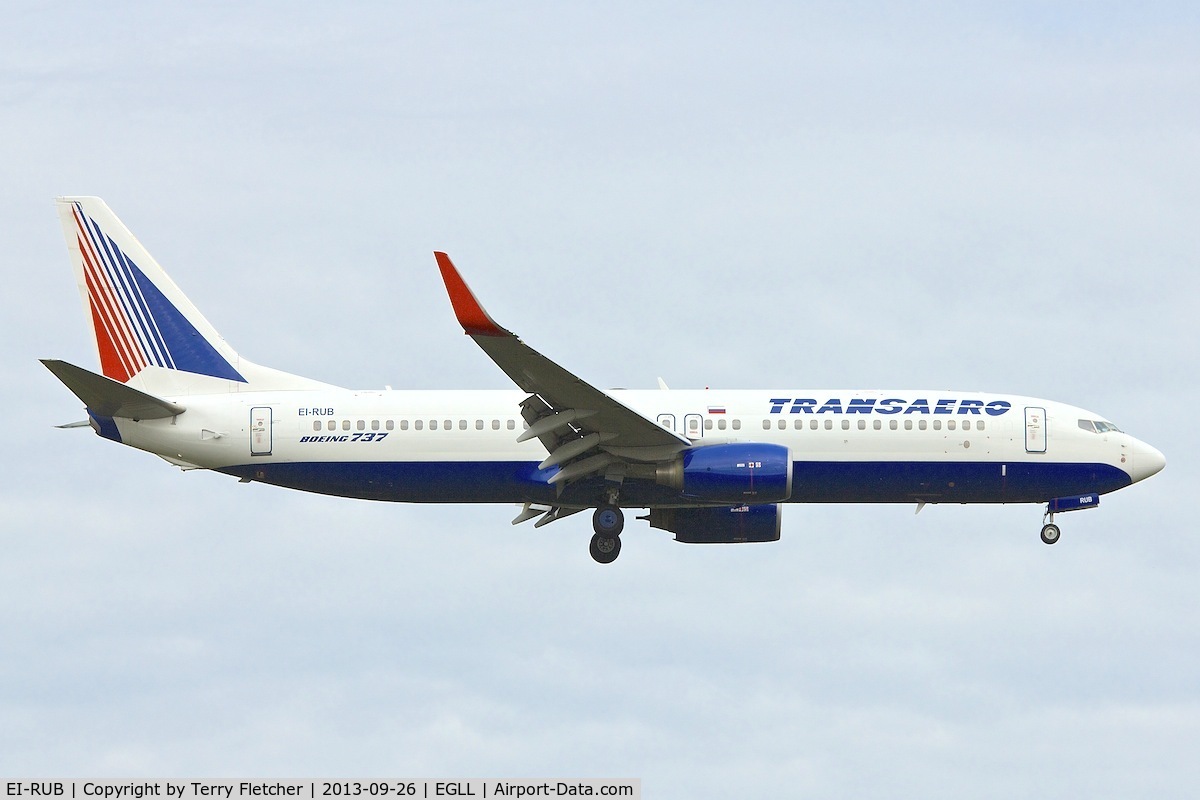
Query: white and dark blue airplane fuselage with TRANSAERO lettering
{"type": "Point", "coordinates": [847, 446]}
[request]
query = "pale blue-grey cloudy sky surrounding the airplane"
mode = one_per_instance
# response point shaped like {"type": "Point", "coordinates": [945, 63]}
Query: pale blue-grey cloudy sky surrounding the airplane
{"type": "Point", "coordinates": [994, 197]}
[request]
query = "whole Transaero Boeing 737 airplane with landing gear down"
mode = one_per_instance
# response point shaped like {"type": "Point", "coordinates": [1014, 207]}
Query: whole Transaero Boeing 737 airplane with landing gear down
{"type": "Point", "coordinates": [709, 466]}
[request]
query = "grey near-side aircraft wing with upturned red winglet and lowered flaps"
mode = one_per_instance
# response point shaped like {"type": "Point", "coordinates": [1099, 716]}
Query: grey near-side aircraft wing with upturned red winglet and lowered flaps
{"type": "Point", "coordinates": [584, 429]}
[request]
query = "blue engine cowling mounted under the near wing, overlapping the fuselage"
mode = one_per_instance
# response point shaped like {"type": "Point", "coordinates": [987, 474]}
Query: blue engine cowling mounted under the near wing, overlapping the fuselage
{"type": "Point", "coordinates": [737, 473]}
